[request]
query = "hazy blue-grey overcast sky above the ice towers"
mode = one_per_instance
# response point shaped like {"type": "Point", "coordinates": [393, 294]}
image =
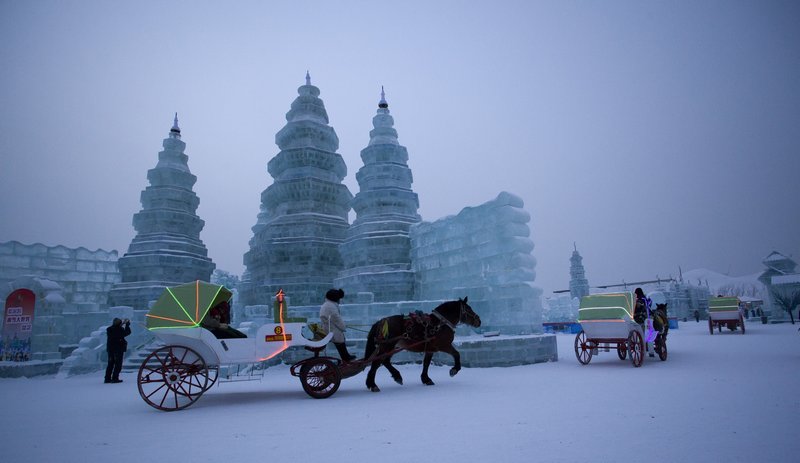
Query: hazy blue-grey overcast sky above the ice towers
{"type": "Point", "coordinates": [655, 134]}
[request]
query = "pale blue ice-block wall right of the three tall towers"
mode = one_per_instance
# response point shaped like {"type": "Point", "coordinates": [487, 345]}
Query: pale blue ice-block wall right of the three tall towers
{"type": "Point", "coordinates": [484, 252]}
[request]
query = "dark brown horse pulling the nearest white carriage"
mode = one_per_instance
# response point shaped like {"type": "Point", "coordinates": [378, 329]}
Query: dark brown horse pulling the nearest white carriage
{"type": "Point", "coordinates": [419, 332]}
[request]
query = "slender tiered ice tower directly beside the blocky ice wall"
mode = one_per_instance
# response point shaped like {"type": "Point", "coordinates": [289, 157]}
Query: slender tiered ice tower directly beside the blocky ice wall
{"type": "Point", "coordinates": [377, 250]}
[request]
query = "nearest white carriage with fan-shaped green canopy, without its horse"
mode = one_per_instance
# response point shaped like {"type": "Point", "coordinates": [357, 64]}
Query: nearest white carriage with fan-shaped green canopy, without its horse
{"type": "Point", "coordinates": [176, 375]}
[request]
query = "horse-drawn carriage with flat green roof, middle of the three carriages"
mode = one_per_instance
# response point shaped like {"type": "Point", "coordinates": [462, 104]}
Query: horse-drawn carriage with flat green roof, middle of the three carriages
{"type": "Point", "coordinates": [608, 322]}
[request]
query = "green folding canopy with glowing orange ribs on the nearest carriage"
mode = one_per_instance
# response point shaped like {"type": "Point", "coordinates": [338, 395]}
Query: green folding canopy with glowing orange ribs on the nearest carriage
{"type": "Point", "coordinates": [184, 306]}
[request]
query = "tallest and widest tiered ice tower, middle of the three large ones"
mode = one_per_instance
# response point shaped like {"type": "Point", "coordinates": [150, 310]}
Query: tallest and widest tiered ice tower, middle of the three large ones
{"type": "Point", "coordinates": [303, 218]}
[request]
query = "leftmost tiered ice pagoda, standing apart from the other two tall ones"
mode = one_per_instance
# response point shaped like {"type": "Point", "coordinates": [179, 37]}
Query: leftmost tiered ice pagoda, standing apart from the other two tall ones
{"type": "Point", "coordinates": [167, 249]}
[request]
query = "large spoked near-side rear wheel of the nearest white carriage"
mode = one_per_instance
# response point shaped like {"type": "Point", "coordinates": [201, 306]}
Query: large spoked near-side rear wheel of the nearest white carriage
{"type": "Point", "coordinates": [172, 378]}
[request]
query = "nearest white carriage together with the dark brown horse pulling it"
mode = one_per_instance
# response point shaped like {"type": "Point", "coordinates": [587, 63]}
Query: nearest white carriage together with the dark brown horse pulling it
{"type": "Point", "coordinates": [174, 376]}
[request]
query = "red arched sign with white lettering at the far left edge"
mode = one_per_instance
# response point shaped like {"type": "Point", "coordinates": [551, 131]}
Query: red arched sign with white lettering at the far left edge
{"type": "Point", "coordinates": [15, 342]}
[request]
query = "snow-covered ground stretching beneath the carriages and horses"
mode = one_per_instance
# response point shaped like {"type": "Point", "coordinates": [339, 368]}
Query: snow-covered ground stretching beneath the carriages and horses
{"type": "Point", "coordinates": [724, 397]}
